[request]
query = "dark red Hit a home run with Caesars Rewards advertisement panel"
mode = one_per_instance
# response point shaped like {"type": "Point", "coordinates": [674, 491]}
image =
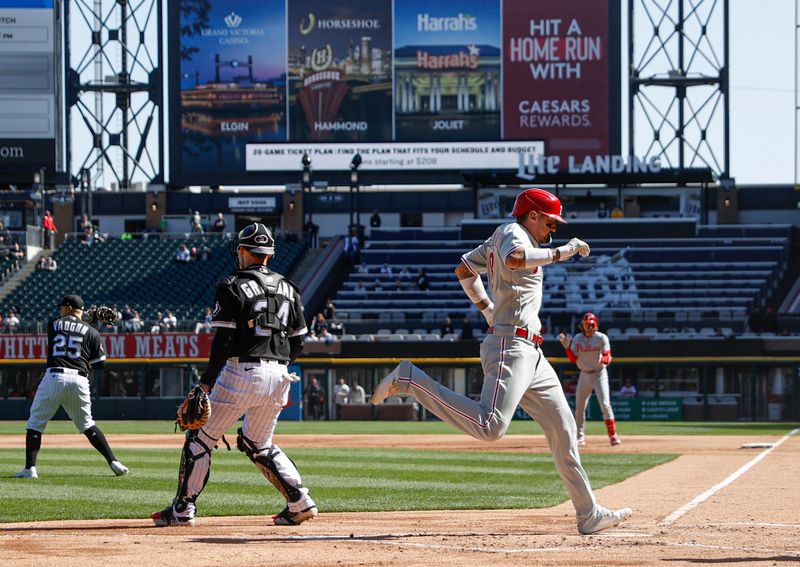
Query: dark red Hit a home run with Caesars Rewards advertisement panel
{"type": "Point", "coordinates": [556, 58]}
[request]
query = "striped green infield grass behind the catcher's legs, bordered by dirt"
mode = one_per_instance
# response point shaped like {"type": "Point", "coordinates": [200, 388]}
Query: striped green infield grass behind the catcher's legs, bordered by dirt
{"type": "Point", "coordinates": [77, 484]}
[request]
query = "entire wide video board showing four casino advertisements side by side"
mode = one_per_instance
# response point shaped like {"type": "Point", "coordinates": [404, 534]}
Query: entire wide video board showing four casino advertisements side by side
{"type": "Point", "coordinates": [410, 85]}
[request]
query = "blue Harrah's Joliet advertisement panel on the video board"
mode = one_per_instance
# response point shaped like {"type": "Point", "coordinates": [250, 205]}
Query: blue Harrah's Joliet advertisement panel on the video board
{"type": "Point", "coordinates": [447, 70]}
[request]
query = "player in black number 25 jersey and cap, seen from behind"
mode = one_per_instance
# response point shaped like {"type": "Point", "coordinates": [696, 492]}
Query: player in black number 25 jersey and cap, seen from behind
{"type": "Point", "coordinates": [73, 347]}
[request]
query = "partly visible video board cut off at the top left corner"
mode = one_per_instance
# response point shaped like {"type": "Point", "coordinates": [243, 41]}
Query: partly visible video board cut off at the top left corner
{"type": "Point", "coordinates": [27, 85]}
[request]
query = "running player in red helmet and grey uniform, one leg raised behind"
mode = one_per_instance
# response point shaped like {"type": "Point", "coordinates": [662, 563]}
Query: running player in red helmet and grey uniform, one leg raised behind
{"type": "Point", "coordinates": [514, 367]}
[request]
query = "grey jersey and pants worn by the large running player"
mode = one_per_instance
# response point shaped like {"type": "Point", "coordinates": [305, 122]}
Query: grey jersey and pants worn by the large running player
{"type": "Point", "coordinates": [514, 368]}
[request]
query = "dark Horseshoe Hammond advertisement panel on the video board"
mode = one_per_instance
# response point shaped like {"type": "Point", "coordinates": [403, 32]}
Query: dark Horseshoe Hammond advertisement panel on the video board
{"type": "Point", "coordinates": [340, 72]}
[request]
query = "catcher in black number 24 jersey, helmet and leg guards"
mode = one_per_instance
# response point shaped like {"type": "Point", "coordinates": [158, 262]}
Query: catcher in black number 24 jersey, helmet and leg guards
{"type": "Point", "coordinates": [259, 328]}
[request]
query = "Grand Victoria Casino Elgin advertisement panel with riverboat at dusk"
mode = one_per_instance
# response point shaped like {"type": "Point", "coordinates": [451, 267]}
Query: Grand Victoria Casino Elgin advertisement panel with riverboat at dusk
{"type": "Point", "coordinates": [232, 82]}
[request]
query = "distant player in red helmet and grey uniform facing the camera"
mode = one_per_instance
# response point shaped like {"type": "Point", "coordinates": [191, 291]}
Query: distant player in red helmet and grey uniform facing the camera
{"type": "Point", "coordinates": [591, 350]}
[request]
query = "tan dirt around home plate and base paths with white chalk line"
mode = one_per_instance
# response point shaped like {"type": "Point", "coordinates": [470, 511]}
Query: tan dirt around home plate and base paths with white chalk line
{"type": "Point", "coordinates": [716, 503]}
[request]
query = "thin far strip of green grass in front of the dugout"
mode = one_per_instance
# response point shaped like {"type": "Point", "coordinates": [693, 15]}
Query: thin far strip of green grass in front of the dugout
{"type": "Point", "coordinates": [519, 427]}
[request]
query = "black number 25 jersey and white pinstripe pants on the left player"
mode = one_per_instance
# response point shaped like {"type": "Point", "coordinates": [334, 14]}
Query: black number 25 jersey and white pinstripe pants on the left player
{"type": "Point", "coordinates": [63, 386]}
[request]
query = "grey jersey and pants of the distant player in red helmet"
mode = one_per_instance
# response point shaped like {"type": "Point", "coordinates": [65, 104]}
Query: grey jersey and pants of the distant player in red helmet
{"type": "Point", "coordinates": [594, 376]}
